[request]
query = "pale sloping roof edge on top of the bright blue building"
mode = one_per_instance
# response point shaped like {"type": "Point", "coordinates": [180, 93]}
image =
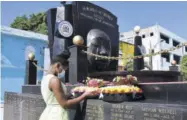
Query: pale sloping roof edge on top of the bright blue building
{"type": "Point", "coordinates": [23, 33]}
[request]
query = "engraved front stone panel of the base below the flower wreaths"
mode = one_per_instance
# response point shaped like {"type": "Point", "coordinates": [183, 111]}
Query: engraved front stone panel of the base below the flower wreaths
{"type": "Point", "coordinates": [99, 110]}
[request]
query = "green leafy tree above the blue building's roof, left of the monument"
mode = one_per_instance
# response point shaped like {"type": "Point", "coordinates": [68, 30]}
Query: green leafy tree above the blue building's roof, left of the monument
{"type": "Point", "coordinates": [35, 23]}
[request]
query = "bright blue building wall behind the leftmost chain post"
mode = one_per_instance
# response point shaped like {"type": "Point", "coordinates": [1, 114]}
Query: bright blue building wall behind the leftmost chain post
{"type": "Point", "coordinates": [13, 57]}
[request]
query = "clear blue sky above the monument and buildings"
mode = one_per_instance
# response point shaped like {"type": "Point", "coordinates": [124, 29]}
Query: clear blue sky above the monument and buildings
{"type": "Point", "coordinates": [170, 15]}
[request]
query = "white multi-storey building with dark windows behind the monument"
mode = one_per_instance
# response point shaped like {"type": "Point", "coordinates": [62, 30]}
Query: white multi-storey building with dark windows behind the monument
{"type": "Point", "coordinates": [158, 38]}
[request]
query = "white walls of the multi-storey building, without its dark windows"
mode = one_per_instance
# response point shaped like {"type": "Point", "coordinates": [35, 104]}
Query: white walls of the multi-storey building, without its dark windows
{"type": "Point", "coordinates": [155, 42]}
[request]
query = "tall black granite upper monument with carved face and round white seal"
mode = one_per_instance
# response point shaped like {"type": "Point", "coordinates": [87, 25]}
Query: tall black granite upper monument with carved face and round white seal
{"type": "Point", "coordinates": [97, 26]}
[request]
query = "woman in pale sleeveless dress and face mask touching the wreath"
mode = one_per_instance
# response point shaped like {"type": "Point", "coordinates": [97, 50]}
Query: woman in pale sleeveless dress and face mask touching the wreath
{"type": "Point", "coordinates": [54, 91]}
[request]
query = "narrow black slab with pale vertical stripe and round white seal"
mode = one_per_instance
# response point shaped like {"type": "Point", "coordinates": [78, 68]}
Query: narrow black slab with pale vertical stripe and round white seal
{"type": "Point", "coordinates": [60, 31]}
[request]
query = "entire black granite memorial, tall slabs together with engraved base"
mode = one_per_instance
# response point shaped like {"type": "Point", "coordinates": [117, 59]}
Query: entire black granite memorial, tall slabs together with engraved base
{"type": "Point", "coordinates": [98, 27]}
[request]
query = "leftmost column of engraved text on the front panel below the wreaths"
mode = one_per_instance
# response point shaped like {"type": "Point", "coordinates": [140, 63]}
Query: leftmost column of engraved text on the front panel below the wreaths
{"type": "Point", "coordinates": [94, 112]}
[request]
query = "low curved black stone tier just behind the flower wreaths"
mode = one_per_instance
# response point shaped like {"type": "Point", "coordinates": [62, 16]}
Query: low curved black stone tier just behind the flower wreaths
{"type": "Point", "coordinates": [143, 76]}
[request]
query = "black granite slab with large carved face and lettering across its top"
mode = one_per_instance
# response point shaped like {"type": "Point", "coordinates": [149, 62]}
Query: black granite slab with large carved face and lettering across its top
{"type": "Point", "coordinates": [100, 30]}
